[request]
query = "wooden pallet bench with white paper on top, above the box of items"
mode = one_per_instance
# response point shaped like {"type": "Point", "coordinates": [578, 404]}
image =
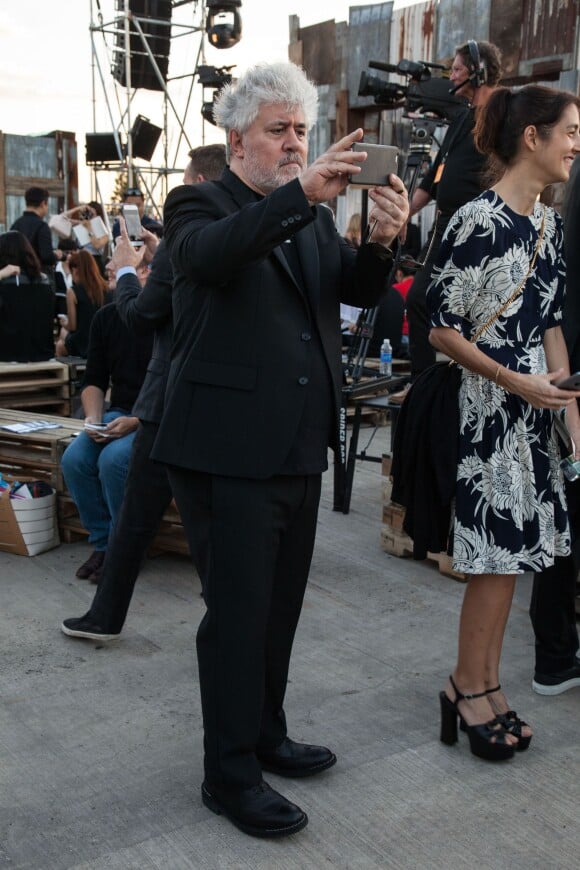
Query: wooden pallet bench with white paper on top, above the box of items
{"type": "Point", "coordinates": [36, 455]}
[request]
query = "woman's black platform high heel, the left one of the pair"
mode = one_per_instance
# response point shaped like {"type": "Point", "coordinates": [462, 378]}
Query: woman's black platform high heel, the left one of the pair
{"type": "Point", "coordinates": [486, 740]}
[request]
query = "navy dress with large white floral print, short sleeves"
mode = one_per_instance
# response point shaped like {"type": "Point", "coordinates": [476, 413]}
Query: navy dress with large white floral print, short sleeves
{"type": "Point", "coordinates": [510, 510]}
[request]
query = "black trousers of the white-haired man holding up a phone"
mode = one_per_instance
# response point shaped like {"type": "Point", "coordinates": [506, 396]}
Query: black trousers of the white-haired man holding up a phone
{"type": "Point", "coordinates": [252, 542]}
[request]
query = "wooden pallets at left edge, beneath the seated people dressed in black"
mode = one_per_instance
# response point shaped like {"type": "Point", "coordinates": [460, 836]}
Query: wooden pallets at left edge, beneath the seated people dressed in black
{"type": "Point", "coordinates": [44, 385]}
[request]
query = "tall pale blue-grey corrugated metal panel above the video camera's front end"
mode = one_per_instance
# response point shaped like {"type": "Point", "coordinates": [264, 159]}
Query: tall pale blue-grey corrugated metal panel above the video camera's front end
{"type": "Point", "coordinates": [369, 35]}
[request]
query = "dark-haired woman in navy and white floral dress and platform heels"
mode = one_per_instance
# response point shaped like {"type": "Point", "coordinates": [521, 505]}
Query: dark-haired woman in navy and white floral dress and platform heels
{"type": "Point", "coordinates": [510, 512]}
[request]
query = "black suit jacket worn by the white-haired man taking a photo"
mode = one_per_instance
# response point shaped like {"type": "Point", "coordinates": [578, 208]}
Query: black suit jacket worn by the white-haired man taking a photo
{"type": "Point", "coordinates": [243, 327]}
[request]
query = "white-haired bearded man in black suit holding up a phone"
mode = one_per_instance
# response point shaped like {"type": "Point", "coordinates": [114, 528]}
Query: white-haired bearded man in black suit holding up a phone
{"type": "Point", "coordinates": [251, 410]}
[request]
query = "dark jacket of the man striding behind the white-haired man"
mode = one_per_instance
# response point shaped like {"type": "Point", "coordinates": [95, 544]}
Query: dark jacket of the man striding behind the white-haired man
{"type": "Point", "coordinates": [145, 311]}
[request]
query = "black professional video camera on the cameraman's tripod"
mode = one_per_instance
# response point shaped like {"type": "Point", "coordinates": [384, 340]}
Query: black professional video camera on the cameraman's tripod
{"type": "Point", "coordinates": [424, 94]}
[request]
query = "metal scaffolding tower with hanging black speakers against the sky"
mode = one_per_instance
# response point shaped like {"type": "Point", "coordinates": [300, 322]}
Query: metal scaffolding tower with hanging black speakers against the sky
{"type": "Point", "coordinates": [145, 57]}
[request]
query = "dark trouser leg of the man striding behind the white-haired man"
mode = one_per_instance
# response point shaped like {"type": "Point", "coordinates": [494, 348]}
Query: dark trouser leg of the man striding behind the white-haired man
{"type": "Point", "coordinates": [145, 500]}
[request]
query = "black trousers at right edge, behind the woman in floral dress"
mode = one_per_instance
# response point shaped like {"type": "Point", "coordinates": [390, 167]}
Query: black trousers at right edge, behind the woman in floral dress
{"type": "Point", "coordinates": [552, 608]}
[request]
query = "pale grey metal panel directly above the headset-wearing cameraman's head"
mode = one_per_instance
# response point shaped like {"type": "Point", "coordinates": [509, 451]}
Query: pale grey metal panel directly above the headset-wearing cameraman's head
{"type": "Point", "coordinates": [458, 21]}
